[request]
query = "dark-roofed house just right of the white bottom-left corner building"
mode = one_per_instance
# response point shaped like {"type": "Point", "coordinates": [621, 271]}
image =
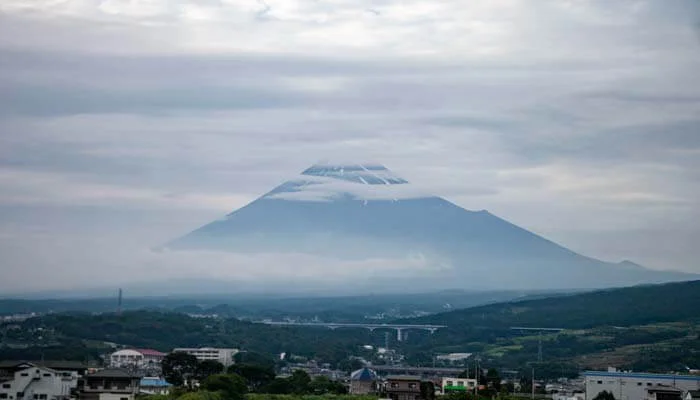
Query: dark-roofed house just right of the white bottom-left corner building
{"type": "Point", "coordinates": [110, 384]}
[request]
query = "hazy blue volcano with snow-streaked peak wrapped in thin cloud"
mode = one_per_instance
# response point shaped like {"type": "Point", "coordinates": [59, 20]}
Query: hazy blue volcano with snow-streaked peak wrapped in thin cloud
{"type": "Point", "coordinates": [355, 213]}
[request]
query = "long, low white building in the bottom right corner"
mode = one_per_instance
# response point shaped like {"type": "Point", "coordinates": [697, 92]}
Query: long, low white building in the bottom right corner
{"type": "Point", "coordinates": [636, 385]}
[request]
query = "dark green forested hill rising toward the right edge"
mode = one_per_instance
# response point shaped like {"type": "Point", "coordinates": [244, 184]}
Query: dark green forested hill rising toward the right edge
{"type": "Point", "coordinates": [613, 307]}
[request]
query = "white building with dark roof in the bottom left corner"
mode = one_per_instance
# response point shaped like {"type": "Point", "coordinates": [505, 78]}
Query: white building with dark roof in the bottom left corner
{"type": "Point", "coordinates": [38, 383]}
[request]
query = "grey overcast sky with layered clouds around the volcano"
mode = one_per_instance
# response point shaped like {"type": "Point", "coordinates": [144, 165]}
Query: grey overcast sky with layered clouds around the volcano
{"type": "Point", "coordinates": [124, 124]}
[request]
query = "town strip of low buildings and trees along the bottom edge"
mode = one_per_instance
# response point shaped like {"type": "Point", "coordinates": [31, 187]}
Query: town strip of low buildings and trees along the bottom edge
{"type": "Point", "coordinates": [199, 373]}
